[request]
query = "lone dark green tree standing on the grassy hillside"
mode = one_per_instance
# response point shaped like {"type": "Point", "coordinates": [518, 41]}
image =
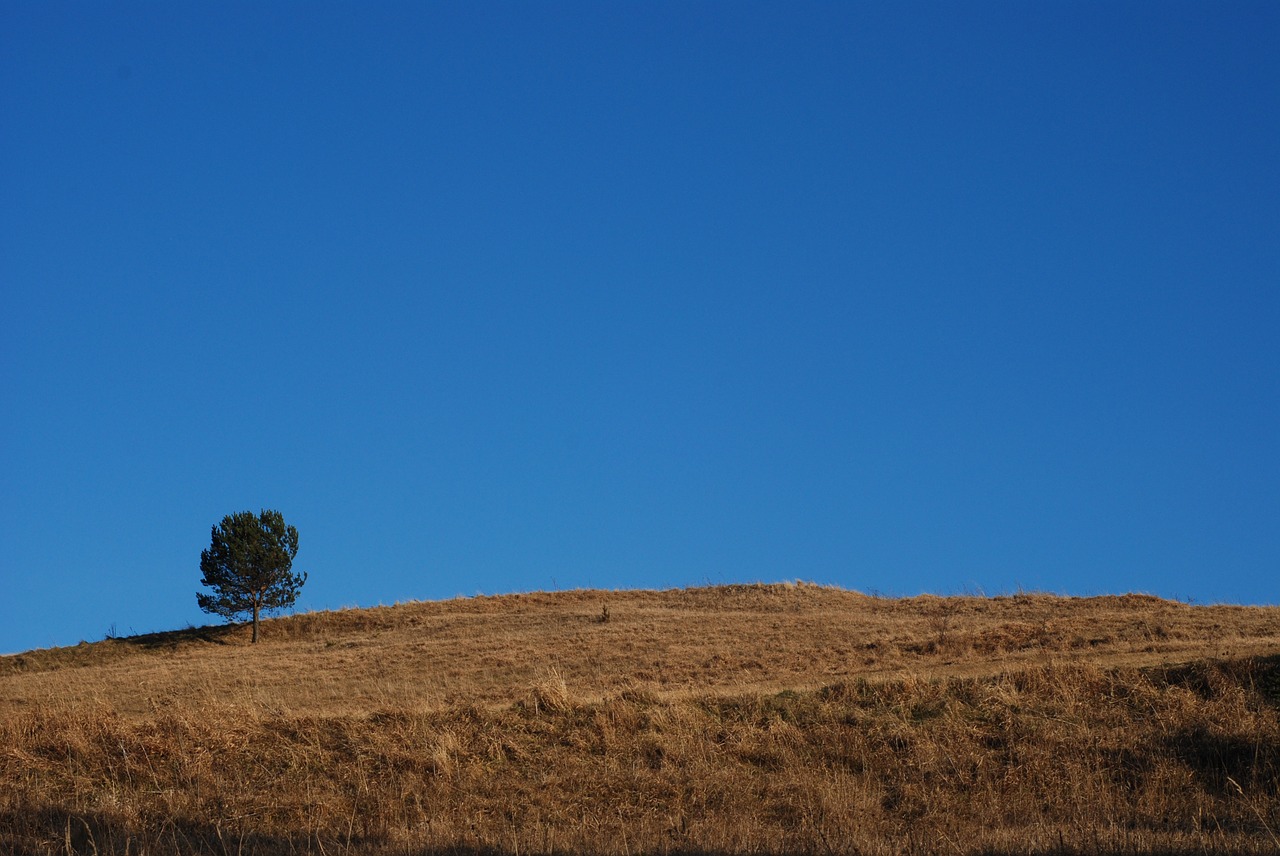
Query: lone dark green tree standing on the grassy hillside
{"type": "Point", "coordinates": [249, 565]}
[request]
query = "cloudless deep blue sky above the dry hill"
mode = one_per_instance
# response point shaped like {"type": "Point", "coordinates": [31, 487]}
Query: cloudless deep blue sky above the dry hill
{"type": "Point", "coordinates": [495, 297]}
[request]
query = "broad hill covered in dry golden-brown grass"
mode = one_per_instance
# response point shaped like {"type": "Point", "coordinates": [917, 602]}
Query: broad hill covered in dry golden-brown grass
{"type": "Point", "coordinates": [766, 718]}
